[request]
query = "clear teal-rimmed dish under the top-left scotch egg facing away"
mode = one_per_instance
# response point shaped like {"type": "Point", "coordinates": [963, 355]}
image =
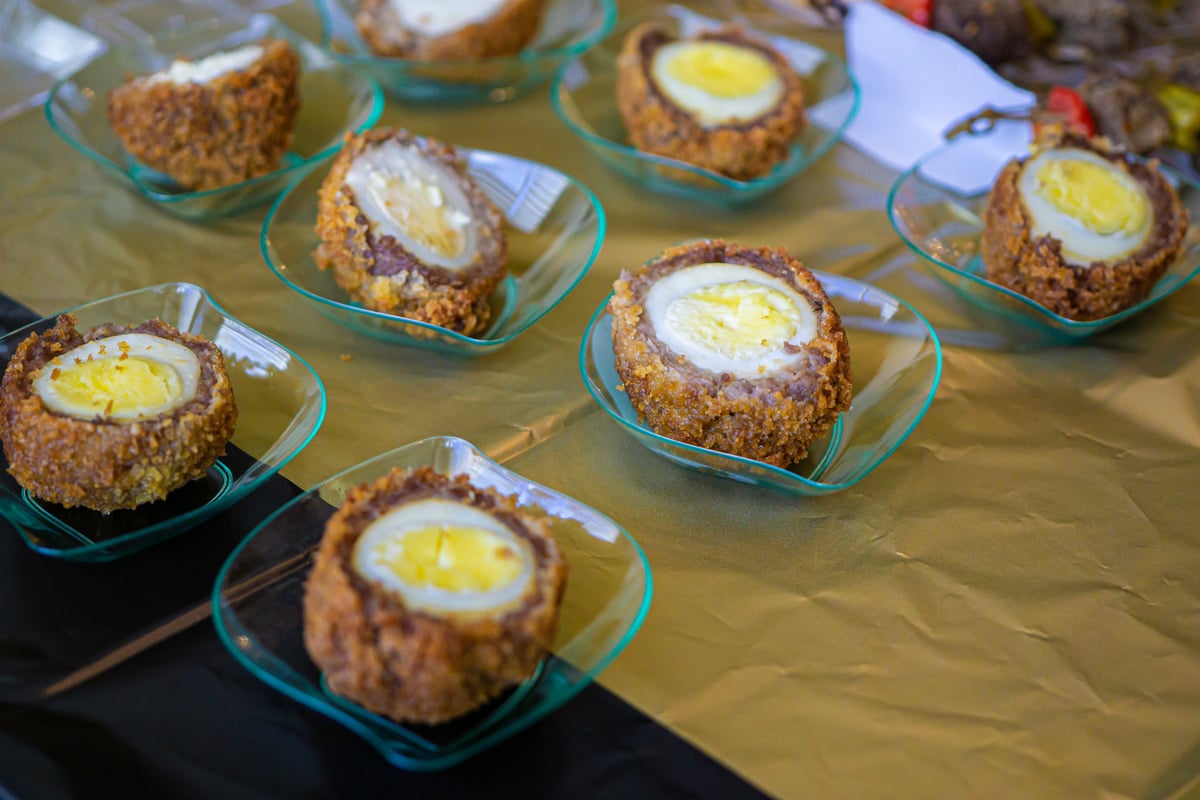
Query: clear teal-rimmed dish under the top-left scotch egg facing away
{"type": "Point", "coordinates": [333, 100]}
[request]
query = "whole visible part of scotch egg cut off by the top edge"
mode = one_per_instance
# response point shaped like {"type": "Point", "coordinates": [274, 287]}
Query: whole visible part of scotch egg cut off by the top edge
{"type": "Point", "coordinates": [441, 31]}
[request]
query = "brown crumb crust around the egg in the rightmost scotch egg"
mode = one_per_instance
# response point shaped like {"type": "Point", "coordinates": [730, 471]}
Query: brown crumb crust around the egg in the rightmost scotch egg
{"type": "Point", "coordinates": [1036, 267]}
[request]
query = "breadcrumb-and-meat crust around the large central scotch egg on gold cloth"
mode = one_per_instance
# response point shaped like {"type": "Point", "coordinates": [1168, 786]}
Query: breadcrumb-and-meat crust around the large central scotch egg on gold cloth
{"type": "Point", "coordinates": [772, 419]}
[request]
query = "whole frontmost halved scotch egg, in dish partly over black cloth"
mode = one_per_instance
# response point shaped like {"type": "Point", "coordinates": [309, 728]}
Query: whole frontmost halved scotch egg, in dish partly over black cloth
{"type": "Point", "coordinates": [430, 597]}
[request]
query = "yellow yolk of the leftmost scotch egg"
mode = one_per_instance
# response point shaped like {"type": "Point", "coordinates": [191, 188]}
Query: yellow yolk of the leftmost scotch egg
{"type": "Point", "coordinates": [116, 387]}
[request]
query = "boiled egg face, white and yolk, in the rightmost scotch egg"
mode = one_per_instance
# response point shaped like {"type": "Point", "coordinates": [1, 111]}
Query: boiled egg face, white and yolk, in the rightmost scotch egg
{"type": "Point", "coordinates": [1100, 212]}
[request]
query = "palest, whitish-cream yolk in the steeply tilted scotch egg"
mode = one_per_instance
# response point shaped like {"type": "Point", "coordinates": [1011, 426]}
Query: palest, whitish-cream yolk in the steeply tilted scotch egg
{"type": "Point", "coordinates": [421, 209]}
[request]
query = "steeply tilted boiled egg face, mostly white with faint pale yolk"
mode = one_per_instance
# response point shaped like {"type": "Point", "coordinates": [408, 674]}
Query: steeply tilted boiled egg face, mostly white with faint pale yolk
{"type": "Point", "coordinates": [416, 201]}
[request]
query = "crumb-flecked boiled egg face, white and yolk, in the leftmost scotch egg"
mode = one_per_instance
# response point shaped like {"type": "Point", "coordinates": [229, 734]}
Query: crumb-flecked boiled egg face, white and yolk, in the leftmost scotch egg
{"type": "Point", "coordinates": [122, 378]}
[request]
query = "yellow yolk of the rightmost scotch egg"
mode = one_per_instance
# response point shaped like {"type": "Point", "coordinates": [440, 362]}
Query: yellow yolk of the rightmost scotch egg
{"type": "Point", "coordinates": [1099, 197]}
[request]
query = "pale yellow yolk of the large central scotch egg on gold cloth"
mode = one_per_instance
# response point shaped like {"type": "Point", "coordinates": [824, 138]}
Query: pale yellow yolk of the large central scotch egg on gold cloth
{"type": "Point", "coordinates": [737, 320]}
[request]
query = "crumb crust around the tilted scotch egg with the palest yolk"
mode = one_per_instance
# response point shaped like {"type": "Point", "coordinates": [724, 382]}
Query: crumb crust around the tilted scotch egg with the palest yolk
{"type": "Point", "coordinates": [381, 274]}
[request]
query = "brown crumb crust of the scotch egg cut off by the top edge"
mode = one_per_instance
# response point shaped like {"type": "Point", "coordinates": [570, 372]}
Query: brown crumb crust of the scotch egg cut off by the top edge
{"type": "Point", "coordinates": [506, 33]}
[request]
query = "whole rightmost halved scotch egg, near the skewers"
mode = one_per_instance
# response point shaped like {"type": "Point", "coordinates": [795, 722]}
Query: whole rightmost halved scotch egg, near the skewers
{"type": "Point", "coordinates": [1081, 227]}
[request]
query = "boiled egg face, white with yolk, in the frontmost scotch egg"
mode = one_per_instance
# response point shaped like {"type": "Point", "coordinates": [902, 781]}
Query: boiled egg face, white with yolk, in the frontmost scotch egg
{"type": "Point", "coordinates": [446, 557]}
